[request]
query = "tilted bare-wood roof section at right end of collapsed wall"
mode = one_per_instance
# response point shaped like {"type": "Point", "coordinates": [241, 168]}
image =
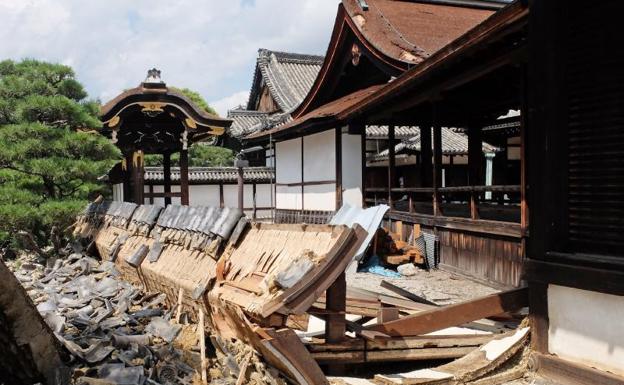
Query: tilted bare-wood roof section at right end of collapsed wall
{"type": "Point", "coordinates": [249, 274]}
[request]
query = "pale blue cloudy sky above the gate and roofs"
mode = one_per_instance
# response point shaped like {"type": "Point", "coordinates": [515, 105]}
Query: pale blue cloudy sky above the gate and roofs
{"type": "Point", "coordinates": [206, 45]}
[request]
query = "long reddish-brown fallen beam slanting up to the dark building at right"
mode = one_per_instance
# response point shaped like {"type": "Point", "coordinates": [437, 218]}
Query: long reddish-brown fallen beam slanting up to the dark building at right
{"type": "Point", "coordinates": [457, 314]}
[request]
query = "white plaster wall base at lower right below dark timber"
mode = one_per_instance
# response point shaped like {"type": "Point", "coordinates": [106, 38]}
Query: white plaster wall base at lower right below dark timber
{"type": "Point", "coordinates": [586, 327]}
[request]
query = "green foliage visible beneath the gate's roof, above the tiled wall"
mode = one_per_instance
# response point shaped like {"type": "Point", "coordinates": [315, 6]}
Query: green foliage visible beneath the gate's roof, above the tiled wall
{"type": "Point", "coordinates": [200, 155]}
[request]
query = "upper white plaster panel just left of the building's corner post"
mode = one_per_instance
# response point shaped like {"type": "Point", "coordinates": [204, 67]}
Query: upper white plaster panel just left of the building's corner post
{"type": "Point", "coordinates": [319, 156]}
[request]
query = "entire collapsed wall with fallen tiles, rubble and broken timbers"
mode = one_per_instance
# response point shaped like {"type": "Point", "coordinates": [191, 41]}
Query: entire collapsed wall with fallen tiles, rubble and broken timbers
{"type": "Point", "coordinates": [191, 295]}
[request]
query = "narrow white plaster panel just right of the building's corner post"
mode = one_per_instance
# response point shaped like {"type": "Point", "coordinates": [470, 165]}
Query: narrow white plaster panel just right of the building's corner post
{"type": "Point", "coordinates": [352, 170]}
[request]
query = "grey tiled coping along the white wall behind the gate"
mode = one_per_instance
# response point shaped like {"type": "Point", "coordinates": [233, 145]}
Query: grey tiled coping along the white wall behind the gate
{"type": "Point", "coordinates": [212, 174]}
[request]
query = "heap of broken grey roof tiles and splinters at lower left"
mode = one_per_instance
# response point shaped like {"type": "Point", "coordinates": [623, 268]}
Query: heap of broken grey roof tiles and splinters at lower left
{"type": "Point", "coordinates": [118, 334]}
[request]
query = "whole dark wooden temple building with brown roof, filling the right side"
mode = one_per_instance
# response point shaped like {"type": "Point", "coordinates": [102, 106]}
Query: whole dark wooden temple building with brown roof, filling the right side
{"type": "Point", "coordinates": [541, 80]}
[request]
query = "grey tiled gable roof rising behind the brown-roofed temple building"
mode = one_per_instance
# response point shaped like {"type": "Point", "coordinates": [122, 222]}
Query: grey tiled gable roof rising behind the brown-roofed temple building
{"type": "Point", "coordinates": [288, 76]}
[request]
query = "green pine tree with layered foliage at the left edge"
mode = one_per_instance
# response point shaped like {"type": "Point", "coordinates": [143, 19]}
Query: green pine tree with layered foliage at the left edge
{"type": "Point", "coordinates": [50, 155]}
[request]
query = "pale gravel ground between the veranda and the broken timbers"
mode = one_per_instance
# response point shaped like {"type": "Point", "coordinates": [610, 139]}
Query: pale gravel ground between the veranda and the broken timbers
{"type": "Point", "coordinates": [437, 286]}
